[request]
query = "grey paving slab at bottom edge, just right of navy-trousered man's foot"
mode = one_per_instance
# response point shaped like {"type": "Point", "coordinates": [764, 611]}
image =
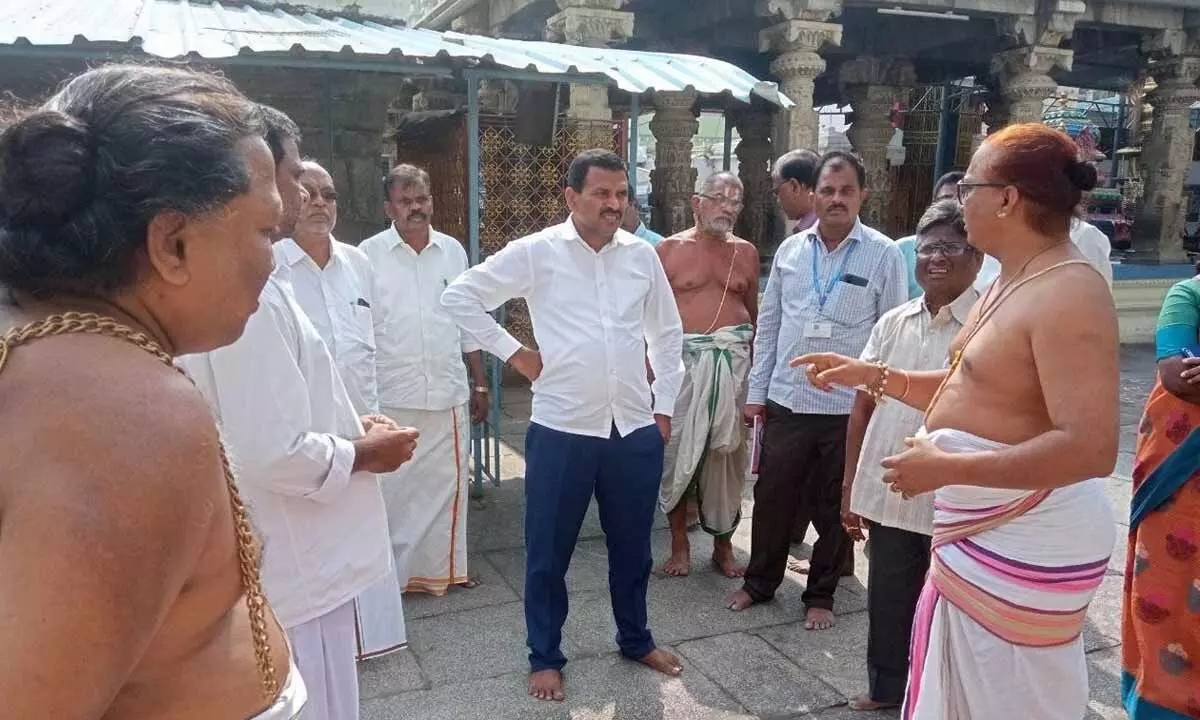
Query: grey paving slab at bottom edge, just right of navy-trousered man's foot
{"type": "Point", "coordinates": [765, 682]}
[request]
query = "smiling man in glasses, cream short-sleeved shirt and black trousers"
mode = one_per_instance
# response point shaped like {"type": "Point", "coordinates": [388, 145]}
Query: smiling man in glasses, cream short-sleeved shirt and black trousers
{"type": "Point", "coordinates": [915, 337]}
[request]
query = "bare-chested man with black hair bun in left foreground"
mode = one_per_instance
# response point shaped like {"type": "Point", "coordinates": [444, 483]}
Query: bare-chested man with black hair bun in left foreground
{"type": "Point", "coordinates": [129, 577]}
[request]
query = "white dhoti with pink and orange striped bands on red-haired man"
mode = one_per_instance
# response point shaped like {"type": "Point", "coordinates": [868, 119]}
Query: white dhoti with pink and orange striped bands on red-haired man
{"type": "Point", "coordinates": [998, 628]}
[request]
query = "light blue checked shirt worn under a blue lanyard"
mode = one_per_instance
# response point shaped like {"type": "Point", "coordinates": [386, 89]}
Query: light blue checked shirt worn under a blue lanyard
{"type": "Point", "coordinates": [791, 302]}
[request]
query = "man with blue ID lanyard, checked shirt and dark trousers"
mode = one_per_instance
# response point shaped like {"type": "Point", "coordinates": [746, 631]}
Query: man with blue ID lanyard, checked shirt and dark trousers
{"type": "Point", "coordinates": [829, 286]}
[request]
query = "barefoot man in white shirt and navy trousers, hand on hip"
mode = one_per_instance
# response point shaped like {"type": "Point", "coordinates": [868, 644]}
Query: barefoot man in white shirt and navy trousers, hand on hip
{"type": "Point", "coordinates": [601, 305]}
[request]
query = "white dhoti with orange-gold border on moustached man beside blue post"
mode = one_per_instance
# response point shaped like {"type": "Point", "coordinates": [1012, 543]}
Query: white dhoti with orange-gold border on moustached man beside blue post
{"type": "Point", "coordinates": [427, 501]}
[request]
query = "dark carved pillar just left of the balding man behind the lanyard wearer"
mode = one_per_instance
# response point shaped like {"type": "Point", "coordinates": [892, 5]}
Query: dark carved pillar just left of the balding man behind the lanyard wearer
{"type": "Point", "coordinates": [754, 152]}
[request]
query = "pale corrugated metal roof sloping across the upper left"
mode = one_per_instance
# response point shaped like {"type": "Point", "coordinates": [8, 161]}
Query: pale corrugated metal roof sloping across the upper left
{"type": "Point", "coordinates": [214, 31]}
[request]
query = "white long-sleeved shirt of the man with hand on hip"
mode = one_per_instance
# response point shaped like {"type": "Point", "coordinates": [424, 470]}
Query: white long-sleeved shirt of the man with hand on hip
{"type": "Point", "coordinates": [596, 319]}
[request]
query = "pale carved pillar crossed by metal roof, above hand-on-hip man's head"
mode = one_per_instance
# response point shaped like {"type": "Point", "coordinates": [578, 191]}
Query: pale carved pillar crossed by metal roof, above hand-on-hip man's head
{"type": "Point", "coordinates": [590, 23]}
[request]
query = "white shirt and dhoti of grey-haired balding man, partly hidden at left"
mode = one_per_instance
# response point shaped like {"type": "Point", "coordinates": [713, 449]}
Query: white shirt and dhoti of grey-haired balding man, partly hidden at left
{"type": "Point", "coordinates": [339, 299]}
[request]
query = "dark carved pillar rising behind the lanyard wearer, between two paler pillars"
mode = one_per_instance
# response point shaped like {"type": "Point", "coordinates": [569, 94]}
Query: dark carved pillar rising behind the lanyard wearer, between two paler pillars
{"type": "Point", "coordinates": [873, 86]}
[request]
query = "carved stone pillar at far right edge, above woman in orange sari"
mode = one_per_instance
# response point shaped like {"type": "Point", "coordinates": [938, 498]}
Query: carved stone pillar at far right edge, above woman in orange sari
{"type": "Point", "coordinates": [1168, 157]}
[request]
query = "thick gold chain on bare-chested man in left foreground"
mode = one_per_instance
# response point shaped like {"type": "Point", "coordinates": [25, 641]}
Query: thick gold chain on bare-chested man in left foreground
{"type": "Point", "coordinates": [248, 545]}
